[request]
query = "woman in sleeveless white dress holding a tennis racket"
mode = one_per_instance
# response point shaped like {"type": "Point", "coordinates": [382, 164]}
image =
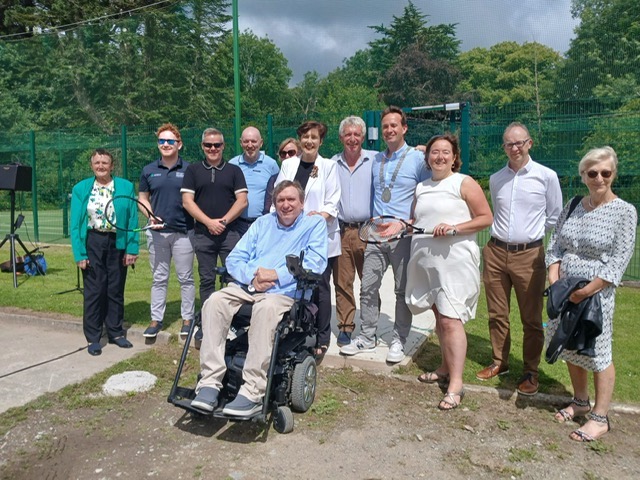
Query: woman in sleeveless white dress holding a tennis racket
{"type": "Point", "coordinates": [444, 271]}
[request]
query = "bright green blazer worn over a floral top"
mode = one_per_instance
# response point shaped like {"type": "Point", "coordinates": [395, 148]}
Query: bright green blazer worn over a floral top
{"type": "Point", "coordinates": [127, 241]}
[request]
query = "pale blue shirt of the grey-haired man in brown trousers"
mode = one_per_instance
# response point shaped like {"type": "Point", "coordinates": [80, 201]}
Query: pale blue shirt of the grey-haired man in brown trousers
{"type": "Point", "coordinates": [355, 186]}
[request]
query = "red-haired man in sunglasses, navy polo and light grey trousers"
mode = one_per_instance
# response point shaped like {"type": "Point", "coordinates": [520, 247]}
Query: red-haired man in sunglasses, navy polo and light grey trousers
{"type": "Point", "coordinates": [160, 184]}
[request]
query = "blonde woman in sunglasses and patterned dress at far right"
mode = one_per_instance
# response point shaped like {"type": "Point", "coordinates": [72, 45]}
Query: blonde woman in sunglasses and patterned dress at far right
{"type": "Point", "coordinates": [596, 242]}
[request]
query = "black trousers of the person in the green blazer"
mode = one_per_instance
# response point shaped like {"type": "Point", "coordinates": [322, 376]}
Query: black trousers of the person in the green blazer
{"type": "Point", "coordinates": [104, 282]}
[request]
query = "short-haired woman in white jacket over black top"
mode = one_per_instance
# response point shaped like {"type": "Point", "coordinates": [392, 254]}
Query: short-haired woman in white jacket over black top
{"type": "Point", "coordinates": [319, 178]}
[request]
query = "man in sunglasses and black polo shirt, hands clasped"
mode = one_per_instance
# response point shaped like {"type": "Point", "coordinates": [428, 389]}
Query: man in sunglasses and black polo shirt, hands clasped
{"type": "Point", "coordinates": [215, 194]}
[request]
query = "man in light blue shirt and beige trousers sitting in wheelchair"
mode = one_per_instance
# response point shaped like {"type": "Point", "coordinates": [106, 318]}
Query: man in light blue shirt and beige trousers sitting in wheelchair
{"type": "Point", "coordinates": [260, 275]}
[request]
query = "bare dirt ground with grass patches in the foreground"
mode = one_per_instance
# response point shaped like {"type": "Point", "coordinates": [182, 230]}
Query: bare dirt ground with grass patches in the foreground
{"type": "Point", "coordinates": [361, 426]}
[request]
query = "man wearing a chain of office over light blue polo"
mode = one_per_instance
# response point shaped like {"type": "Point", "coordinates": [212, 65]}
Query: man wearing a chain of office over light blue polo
{"type": "Point", "coordinates": [395, 173]}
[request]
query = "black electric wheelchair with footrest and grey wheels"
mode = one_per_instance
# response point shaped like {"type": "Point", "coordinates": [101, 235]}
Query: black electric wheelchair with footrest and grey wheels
{"type": "Point", "coordinates": [291, 377]}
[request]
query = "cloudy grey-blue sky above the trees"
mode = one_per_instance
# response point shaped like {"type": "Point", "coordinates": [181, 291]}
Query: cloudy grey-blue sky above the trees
{"type": "Point", "coordinates": [320, 34]}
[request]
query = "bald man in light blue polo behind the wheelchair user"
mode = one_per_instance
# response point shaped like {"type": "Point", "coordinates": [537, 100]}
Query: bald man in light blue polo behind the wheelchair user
{"type": "Point", "coordinates": [257, 168]}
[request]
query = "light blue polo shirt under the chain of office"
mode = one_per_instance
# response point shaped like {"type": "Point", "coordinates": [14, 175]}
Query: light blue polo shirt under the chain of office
{"type": "Point", "coordinates": [411, 173]}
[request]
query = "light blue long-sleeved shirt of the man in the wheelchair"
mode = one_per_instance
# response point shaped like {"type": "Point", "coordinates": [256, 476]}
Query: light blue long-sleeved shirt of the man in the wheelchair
{"type": "Point", "coordinates": [267, 243]}
